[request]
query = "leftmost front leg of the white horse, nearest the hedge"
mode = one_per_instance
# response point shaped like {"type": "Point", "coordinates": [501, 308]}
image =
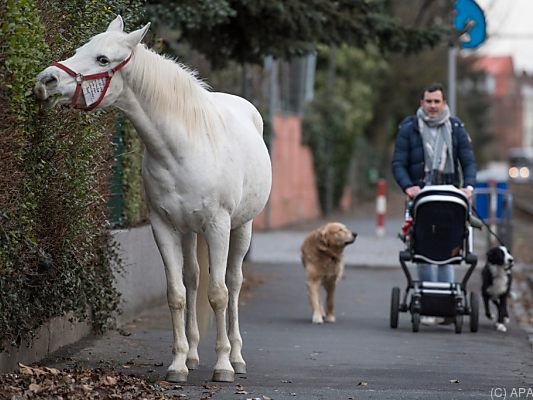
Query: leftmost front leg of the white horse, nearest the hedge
{"type": "Point", "coordinates": [169, 245]}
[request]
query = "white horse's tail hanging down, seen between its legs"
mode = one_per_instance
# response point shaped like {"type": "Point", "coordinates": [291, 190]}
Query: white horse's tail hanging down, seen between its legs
{"type": "Point", "coordinates": [203, 308]}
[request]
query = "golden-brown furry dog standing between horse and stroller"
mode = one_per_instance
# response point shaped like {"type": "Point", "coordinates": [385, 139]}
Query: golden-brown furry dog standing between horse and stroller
{"type": "Point", "coordinates": [322, 258]}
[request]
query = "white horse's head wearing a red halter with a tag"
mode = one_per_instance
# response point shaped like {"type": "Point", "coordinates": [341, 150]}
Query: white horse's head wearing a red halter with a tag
{"type": "Point", "coordinates": [84, 80]}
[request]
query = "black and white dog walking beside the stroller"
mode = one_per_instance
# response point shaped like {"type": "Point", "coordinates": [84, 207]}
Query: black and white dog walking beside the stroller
{"type": "Point", "coordinates": [496, 283]}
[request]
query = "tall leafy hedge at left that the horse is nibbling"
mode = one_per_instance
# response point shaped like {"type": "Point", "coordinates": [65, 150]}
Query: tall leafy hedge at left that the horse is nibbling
{"type": "Point", "coordinates": [54, 247]}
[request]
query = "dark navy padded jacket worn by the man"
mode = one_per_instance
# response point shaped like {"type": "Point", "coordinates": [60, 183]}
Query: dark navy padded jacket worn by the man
{"type": "Point", "coordinates": [408, 159]}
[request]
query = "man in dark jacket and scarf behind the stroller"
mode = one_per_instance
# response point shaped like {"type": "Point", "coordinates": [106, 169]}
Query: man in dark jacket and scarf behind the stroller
{"type": "Point", "coordinates": [433, 148]}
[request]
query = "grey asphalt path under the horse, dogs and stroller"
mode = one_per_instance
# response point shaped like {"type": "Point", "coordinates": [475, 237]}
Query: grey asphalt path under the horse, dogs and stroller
{"type": "Point", "coordinates": [358, 357]}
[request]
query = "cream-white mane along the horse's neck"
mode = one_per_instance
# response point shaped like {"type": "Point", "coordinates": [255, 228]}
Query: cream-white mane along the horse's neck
{"type": "Point", "coordinates": [172, 88]}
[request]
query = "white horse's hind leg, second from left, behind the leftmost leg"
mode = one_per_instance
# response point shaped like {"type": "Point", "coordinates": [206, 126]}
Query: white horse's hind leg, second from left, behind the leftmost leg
{"type": "Point", "coordinates": [191, 272]}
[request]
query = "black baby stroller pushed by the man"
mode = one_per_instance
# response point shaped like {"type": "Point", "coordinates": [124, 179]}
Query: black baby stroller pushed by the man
{"type": "Point", "coordinates": [437, 232]}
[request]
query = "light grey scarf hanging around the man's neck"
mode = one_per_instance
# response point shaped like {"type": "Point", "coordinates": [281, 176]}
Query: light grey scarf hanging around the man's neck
{"type": "Point", "coordinates": [438, 149]}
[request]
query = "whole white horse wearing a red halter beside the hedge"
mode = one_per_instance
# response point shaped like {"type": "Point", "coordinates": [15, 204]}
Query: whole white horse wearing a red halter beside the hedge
{"type": "Point", "coordinates": [206, 172]}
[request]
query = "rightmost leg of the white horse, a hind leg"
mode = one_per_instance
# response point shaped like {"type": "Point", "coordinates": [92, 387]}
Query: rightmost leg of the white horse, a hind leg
{"type": "Point", "coordinates": [239, 245]}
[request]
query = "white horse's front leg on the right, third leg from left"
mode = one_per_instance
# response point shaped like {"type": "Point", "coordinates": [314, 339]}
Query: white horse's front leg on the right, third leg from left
{"type": "Point", "coordinates": [217, 236]}
